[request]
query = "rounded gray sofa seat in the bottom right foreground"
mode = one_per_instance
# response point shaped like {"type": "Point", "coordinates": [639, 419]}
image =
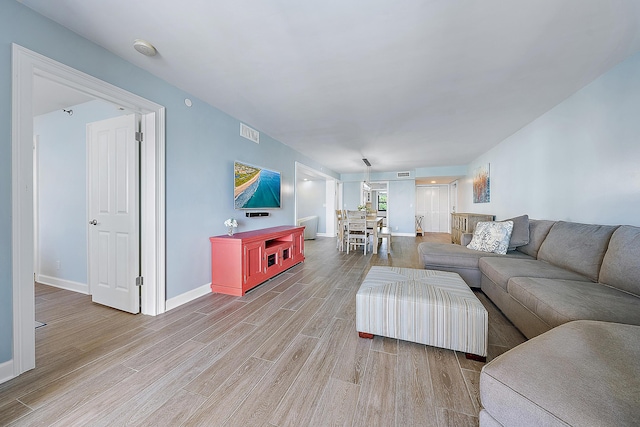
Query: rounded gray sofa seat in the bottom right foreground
{"type": "Point", "coordinates": [583, 373]}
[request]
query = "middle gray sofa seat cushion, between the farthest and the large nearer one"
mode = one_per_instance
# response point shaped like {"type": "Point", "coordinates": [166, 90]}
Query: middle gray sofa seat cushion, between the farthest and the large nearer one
{"type": "Point", "coordinates": [500, 270]}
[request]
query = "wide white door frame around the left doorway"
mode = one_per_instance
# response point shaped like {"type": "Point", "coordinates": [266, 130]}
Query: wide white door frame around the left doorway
{"type": "Point", "coordinates": [25, 65]}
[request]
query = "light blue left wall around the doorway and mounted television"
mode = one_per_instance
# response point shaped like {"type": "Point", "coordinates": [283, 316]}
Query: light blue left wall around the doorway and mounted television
{"type": "Point", "coordinates": [202, 143]}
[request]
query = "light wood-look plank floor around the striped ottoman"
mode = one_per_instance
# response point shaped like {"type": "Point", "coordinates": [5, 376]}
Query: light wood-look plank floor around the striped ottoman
{"type": "Point", "coordinates": [285, 354]}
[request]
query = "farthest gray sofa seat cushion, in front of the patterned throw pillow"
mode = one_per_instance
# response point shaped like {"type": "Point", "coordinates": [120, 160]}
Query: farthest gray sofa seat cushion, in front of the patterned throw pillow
{"type": "Point", "coordinates": [451, 255]}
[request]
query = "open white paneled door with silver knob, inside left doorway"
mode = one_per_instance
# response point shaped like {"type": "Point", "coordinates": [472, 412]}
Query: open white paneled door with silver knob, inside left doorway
{"type": "Point", "coordinates": [113, 198]}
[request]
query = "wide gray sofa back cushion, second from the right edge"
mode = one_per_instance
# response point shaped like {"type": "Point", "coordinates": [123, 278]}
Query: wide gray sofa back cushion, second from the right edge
{"type": "Point", "coordinates": [577, 247]}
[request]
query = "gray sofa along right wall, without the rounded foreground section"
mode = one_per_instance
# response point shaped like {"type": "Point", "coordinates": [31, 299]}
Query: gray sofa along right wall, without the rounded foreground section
{"type": "Point", "coordinates": [566, 271]}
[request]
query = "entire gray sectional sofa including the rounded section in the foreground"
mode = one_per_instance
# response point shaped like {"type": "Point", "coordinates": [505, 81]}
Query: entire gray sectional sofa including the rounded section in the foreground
{"type": "Point", "coordinates": [574, 290]}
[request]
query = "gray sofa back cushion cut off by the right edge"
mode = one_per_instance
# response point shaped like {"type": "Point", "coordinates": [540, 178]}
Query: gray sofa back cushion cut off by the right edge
{"type": "Point", "coordinates": [621, 264]}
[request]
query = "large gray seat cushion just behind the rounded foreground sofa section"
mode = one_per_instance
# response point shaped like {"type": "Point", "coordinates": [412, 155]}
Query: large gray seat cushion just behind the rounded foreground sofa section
{"type": "Point", "coordinates": [561, 301]}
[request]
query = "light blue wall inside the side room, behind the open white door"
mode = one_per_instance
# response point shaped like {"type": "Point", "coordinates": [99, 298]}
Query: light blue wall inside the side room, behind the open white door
{"type": "Point", "coordinates": [62, 190]}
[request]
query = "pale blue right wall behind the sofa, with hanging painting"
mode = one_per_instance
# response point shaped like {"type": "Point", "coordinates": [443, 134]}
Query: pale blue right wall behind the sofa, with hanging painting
{"type": "Point", "coordinates": [577, 162]}
